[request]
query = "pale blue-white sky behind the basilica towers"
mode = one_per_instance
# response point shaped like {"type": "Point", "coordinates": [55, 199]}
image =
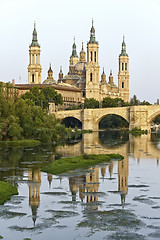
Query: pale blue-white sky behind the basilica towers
{"type": "Point", "coordinates": [58, 21]}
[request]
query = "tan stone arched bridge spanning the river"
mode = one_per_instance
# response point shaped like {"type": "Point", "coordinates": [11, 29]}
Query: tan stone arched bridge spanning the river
{"type": "Point", "coordinates": [137, 116]}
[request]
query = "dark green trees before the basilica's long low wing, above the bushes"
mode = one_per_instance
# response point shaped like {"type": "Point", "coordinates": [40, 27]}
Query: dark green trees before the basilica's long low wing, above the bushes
{"type": "Point", "coordinates": [43, 97]}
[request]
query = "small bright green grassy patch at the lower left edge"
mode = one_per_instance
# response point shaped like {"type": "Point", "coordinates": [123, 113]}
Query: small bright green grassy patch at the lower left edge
{"type": "Point", "coordinates": [6, 191]}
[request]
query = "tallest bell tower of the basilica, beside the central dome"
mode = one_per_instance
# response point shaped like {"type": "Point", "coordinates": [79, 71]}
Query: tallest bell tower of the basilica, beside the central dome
{"type": "Point", "coordinates": [92, 67]}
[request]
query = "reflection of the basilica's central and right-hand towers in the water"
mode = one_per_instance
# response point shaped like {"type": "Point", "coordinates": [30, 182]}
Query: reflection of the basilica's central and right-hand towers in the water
{"type": "Point", "coordinates": [88, 185]}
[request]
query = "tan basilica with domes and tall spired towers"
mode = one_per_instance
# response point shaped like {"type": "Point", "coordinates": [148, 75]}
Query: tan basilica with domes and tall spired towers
{"type": "Point", "coordinates": [83, 77]}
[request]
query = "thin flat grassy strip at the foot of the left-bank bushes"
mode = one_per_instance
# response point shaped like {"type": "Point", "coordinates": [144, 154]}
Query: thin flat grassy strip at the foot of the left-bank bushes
{"type": "Point", "coordinates": [20, 143]}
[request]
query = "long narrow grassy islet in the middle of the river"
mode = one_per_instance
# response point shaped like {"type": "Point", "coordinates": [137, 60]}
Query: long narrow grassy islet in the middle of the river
{"type": "Point", "coordinates": [68, 164]}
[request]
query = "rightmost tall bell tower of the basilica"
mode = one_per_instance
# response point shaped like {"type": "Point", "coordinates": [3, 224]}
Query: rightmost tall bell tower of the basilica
{"type": "Point", "coordinates": [123, 74]}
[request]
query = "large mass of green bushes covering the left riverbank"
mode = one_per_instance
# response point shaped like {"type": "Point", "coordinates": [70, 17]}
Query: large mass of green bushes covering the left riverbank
{"type": "Point", "coordinates": [23, 119]}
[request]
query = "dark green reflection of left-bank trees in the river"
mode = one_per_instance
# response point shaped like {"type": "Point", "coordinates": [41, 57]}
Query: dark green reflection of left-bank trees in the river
{"type": "Point", "coordinates": [14, 160]}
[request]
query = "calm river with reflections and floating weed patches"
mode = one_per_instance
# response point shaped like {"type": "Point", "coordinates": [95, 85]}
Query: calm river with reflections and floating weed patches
{"type": "Point", "coordinates": [119, 200]}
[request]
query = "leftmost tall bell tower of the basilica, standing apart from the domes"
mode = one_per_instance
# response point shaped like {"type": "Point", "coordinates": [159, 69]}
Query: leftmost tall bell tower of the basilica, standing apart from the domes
{"type": "Point", "coordinates": [34, 67]}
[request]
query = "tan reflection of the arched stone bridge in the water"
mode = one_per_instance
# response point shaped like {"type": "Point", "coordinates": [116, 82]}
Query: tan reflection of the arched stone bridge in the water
{"type": "Point", "coordinates": [139, 147]}
